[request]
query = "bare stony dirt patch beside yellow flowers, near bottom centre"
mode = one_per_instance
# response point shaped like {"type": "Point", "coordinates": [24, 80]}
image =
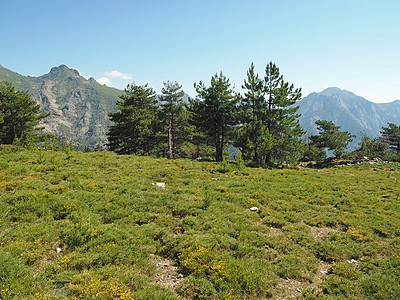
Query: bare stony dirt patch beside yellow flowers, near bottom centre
{"type": "Point", "coordinates": [167, 273]}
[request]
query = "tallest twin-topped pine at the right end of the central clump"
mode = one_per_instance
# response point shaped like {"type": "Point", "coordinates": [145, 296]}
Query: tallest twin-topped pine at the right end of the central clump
{"type": "Point", "coordinates": [269, 132]}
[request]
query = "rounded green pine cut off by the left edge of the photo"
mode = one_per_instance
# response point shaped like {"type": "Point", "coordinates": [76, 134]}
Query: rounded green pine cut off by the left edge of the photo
{"type": "Point", "coordinates": [19, 114]}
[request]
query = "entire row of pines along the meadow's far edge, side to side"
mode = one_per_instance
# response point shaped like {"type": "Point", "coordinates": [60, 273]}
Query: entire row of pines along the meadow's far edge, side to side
{"type": "Point", "coordinates": [263, 123]}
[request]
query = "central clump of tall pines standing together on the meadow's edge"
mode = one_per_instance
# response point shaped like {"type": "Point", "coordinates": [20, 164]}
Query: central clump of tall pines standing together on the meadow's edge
{"type": "Point", "coordinates": [263, 123]}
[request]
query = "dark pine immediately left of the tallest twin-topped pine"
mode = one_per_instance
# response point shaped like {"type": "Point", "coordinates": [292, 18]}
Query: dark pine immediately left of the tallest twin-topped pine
{"type": "Point", "coordinates": [214, 112]}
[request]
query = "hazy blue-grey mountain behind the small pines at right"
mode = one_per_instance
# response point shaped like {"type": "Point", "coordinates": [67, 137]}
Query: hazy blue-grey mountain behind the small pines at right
{"type": "Point", "coordinates": [347, 110]}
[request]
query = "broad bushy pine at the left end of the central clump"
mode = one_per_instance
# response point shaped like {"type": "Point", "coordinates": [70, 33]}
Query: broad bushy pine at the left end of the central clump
{"type": "Point", "coordinates": [136, 126]}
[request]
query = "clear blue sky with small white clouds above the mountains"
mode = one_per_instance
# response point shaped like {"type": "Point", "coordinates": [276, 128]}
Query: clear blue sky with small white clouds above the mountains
{"type": "Point", "coordinates": [351, 44]}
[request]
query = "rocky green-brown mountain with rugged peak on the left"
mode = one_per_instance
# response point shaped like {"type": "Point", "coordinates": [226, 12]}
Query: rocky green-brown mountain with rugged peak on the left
{"type": "Point", "coordinates": [78, 108]}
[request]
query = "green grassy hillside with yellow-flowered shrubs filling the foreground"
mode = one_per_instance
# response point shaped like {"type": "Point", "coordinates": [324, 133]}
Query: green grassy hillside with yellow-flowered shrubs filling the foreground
{"type": "Point", "coordinates": [93, 226]}
